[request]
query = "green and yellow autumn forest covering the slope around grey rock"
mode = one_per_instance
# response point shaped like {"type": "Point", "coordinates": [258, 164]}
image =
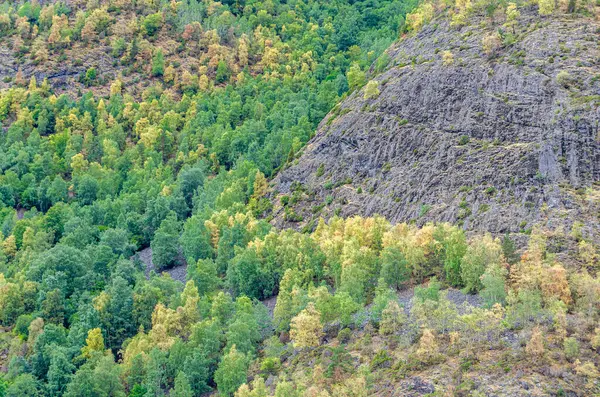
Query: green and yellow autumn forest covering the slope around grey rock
{"type": "Point", "coordinates": [170, 145]}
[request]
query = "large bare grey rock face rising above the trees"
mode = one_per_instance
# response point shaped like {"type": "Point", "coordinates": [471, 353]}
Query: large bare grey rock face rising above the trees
{"type": "Point", "coordinates": [496, 143]}
